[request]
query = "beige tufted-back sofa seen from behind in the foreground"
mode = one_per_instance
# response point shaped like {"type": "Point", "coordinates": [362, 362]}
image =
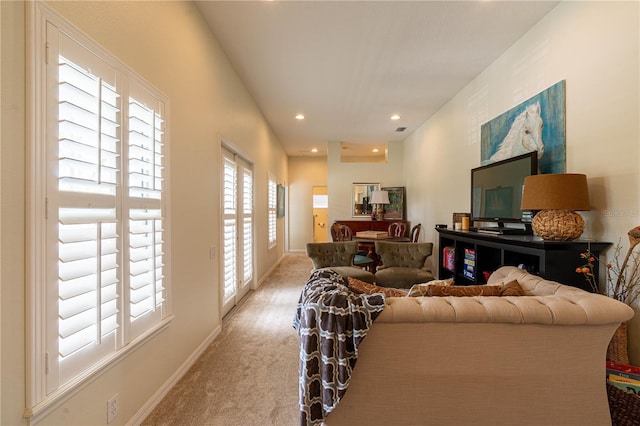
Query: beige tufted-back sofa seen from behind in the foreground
{"type": "Point", "coordinates": [536, 360]}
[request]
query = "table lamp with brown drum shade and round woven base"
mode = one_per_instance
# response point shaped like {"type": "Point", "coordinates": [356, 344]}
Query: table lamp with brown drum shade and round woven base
{"type": "Point", "coordinates": [557, 197]}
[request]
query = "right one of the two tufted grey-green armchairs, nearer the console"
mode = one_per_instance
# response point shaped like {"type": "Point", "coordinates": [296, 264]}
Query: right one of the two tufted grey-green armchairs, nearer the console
{"type": "Point", "coordinates": [404, 264]}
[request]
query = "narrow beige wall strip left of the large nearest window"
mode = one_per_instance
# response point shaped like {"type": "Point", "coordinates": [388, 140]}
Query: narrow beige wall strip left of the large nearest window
{"type": "Point", "coordinates": [12, 151]}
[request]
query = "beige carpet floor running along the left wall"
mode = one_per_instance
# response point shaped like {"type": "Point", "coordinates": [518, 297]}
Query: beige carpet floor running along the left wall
{"type": "Point", "coordinates": [249, 374]}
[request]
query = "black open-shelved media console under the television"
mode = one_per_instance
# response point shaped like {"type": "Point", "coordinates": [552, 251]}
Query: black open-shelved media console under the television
{"type": "Point", "coordinates": [477, 253]}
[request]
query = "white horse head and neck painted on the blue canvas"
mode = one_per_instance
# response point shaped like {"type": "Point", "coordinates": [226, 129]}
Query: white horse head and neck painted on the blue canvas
{"type": "Point", "coordinates": [525, 135]}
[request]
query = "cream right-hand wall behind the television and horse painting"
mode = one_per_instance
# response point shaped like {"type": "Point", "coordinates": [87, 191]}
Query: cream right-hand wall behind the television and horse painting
{"type": "Point", "coordinates": [594, 46]}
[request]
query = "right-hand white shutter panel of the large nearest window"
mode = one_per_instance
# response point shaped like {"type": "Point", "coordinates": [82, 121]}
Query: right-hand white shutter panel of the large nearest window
{"type": "Point", "coordinates": [145, 209]}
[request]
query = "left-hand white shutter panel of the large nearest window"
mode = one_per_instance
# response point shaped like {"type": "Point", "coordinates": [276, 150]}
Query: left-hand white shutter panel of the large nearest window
{"type": "Point", "coordinates": [83, 225]}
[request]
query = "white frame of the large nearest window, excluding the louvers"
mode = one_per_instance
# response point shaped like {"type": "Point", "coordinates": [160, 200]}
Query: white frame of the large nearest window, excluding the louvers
{"type": "Point", "coordinates": [39, 399]}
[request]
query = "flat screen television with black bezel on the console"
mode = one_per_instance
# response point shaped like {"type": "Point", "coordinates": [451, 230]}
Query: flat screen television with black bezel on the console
{"type": "Point", "coordinates": [496, 189]}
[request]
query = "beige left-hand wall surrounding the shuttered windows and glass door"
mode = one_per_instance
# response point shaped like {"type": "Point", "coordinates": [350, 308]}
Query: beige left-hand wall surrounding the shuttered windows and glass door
{"type": "Point", "coordinates": [170, 46]}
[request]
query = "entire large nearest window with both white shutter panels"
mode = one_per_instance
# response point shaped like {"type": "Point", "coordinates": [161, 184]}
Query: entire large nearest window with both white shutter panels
{"type": "Point", "coordinates": [99, 243]}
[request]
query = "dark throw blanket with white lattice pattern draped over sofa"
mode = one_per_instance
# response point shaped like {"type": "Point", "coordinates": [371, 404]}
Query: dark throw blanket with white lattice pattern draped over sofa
{"type": "Point", "coordinates": [331, 321]}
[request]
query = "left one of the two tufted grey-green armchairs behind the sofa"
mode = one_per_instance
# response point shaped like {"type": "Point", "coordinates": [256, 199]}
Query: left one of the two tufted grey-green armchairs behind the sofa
{"type": "Point", "coordinates": [339, 257]}
